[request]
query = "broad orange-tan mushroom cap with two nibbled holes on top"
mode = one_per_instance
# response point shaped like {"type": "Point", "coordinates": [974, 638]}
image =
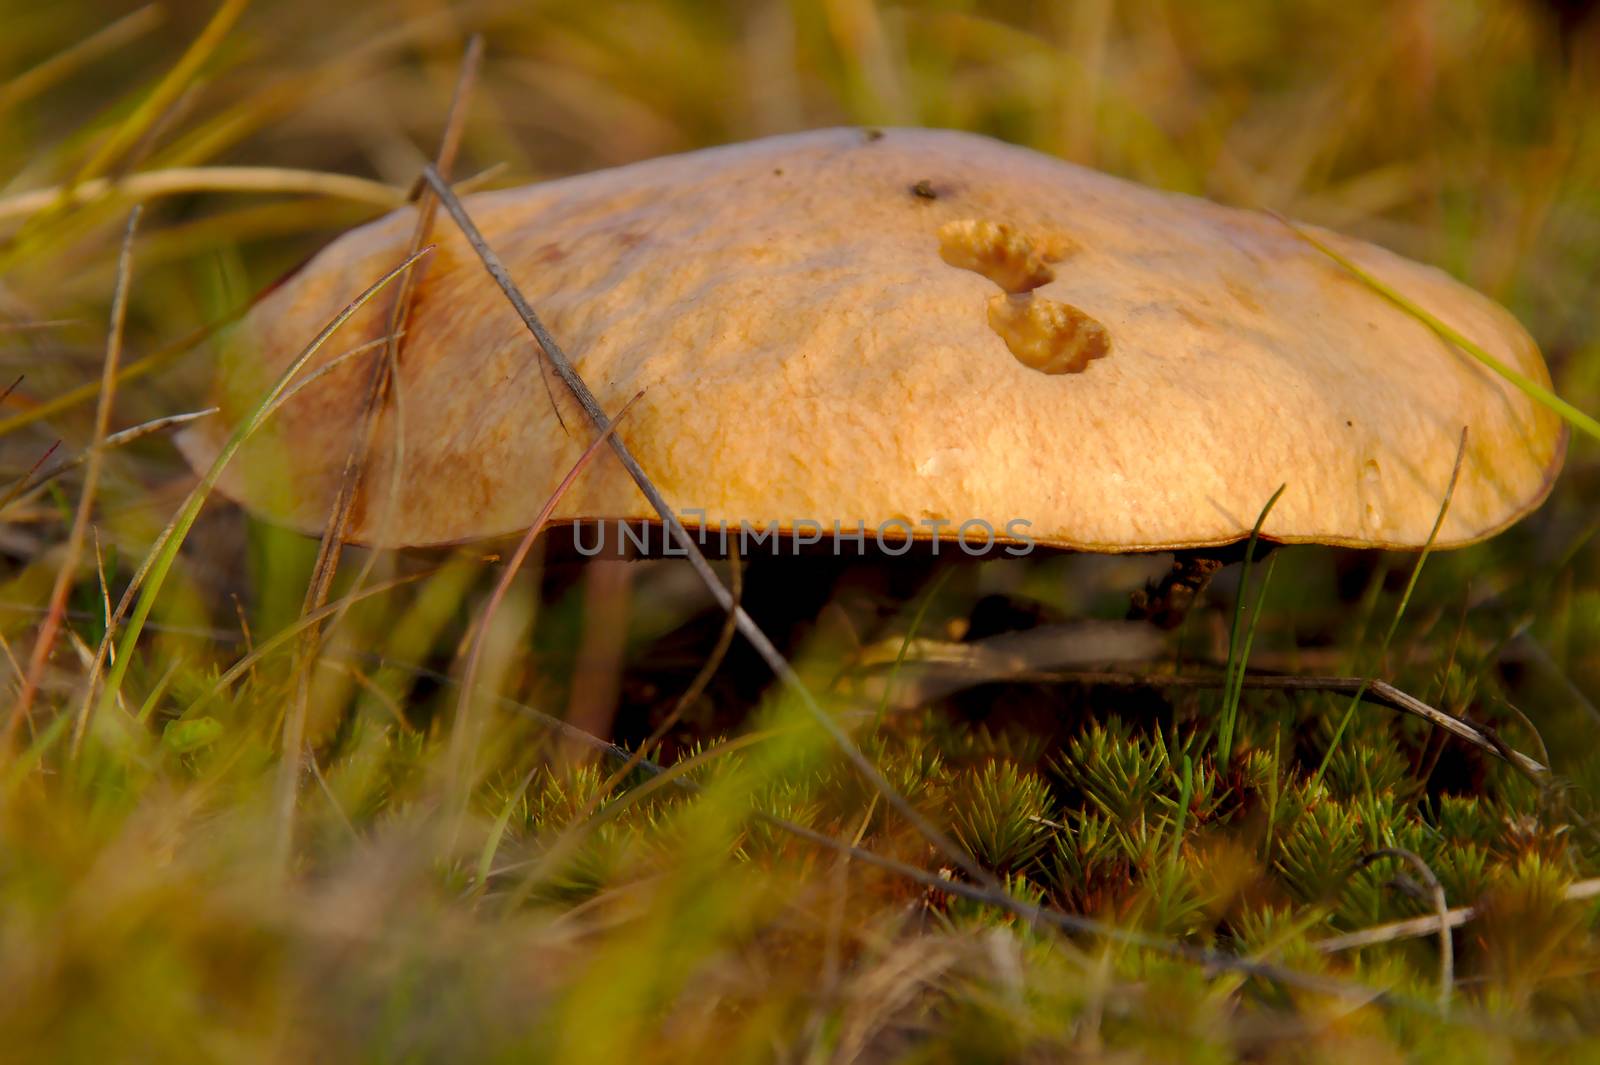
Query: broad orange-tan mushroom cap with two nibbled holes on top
{"type": "Point", "coordinates": [905, 325]}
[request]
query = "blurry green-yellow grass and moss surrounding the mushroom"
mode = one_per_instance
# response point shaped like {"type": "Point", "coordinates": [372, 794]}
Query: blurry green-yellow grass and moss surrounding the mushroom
{"type": "Point", "coordinates": [1218, 869]}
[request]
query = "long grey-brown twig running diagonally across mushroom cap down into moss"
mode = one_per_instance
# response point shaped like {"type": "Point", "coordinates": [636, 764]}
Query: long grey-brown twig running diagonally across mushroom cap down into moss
{"type": "Point", "coordinates": [697, 559]}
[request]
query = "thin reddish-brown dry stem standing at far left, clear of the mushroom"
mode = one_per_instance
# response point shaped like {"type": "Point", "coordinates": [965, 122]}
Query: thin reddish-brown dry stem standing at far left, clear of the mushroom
{"type": "Point", "coordinates": [66, 576]}
